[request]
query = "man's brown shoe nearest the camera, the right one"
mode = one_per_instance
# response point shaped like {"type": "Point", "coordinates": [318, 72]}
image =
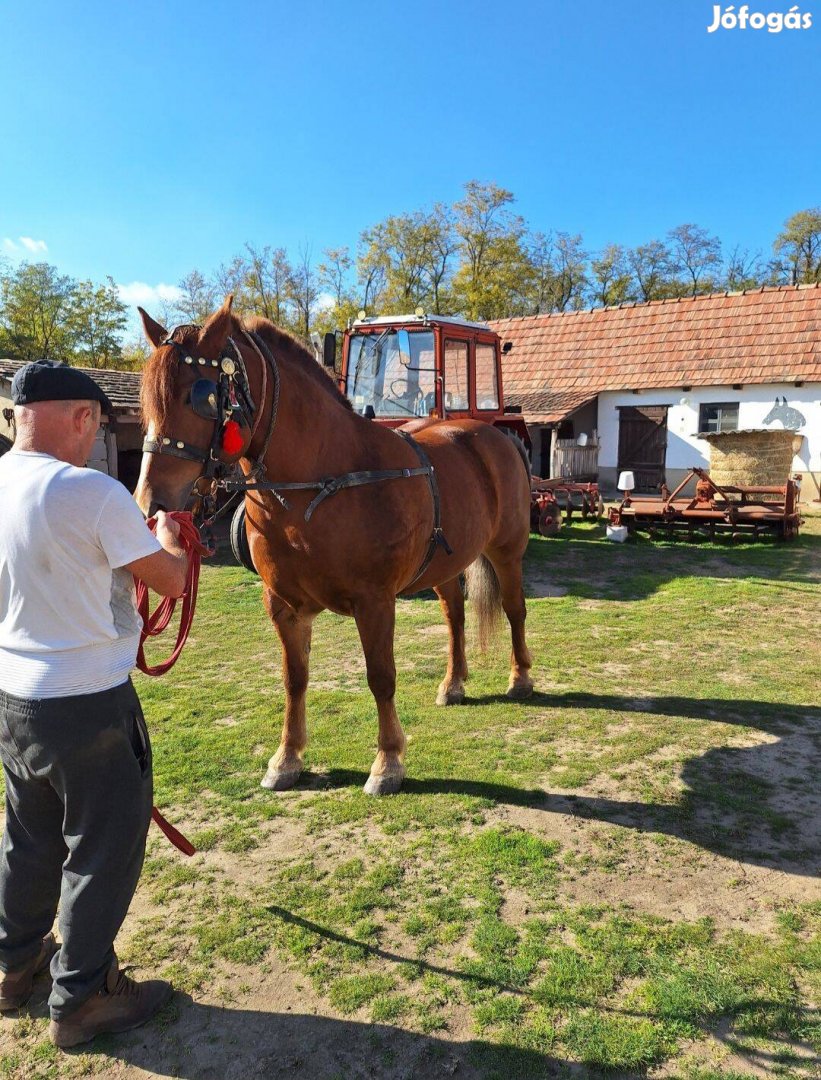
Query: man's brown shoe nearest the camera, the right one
{"type": "Point", "coordinates": [119, 1006]}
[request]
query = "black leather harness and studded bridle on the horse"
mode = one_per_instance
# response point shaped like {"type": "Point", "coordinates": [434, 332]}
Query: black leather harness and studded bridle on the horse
{"type": "Point", "coordinates": [231, 398]}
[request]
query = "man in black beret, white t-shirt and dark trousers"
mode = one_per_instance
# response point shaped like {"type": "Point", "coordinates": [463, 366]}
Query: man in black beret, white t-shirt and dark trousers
{"type": "Point", "coordinates": [74, 745]}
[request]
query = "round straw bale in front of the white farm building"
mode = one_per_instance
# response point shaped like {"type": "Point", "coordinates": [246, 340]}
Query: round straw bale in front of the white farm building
{"type": "Point", "coordinates": [753, 457]}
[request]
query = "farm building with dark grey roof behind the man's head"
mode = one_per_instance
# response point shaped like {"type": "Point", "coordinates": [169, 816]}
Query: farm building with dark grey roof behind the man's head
{"type": "Point", "coordinates": [118, 449]}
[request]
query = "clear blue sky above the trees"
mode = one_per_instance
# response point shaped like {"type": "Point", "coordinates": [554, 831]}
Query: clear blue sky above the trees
{"type": "Point", "coordinates": [142, 141]}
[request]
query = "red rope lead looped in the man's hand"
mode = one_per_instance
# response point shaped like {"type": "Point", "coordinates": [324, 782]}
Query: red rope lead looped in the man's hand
{"type": "Point", "coordinates": [156, 623]}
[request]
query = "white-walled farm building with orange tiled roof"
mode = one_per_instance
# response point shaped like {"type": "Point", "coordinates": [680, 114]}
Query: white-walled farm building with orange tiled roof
{"type": "Point", "coordinates": [636, 387]}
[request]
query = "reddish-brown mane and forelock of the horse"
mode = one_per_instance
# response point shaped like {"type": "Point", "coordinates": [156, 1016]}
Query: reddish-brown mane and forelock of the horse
{"type": "Point", "coordinates": [160, 374]}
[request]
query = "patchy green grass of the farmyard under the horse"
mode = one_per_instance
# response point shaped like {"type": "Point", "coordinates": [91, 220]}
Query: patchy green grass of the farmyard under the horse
{"type": "Point", "coordinates": [675, 728]}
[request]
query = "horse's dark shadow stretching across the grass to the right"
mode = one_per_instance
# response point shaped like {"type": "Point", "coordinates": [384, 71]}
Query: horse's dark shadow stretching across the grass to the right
{"type": "Point", "coordinates": [759, 805]}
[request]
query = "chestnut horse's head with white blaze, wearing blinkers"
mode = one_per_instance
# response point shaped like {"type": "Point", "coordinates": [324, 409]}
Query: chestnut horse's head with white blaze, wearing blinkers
{"type": "Point", "coordinates": [190, 406]}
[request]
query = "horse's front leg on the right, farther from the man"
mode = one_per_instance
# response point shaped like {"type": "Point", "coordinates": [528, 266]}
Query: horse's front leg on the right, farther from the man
{"type": "Point", "coordinates": [375, 623]}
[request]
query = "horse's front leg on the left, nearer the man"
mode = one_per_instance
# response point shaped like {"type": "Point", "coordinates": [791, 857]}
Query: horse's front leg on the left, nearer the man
{"type": "Point", "coordinates": [295, 634]}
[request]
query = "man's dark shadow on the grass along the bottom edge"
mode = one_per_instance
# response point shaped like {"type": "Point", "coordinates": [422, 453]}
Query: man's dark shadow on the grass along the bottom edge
{"type": "Point", "coordinates": [194, 1041]}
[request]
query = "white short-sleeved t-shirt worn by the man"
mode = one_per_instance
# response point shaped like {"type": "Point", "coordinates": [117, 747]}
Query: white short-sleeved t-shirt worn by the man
{"type": "Point", "coordinates": [69, 618]}
